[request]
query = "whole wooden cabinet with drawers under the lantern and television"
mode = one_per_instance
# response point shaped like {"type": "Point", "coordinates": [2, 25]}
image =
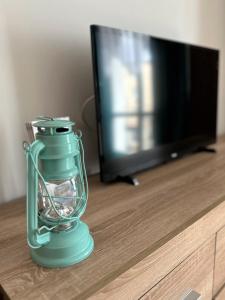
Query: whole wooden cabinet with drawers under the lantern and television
{"type": "Point", "coordinates": [162, 240]}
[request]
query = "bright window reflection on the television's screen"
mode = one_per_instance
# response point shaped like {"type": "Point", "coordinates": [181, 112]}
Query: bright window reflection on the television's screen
{"type": "Point", "coordinates": [131, 95]}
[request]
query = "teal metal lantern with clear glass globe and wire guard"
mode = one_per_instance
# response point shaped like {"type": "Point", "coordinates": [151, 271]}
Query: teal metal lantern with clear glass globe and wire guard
{"type": "Point", "coordinates": [57, 192]}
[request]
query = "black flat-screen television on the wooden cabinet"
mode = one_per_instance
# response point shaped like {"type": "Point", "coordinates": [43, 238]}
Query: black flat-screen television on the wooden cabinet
{"type": "Point", "coordinates": [156, 99]}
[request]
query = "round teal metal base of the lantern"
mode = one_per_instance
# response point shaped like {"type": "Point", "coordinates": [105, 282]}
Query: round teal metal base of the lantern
{"type": "Point", "coordinates": [65, 247]}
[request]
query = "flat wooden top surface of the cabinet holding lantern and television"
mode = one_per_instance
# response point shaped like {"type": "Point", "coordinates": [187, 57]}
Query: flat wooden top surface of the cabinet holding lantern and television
{"type": "Point", "coordinates": [128, 223]}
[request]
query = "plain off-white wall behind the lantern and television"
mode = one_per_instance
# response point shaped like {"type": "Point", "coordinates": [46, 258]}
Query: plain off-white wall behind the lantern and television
{"type": "Point", "coordinates": [46, 68]}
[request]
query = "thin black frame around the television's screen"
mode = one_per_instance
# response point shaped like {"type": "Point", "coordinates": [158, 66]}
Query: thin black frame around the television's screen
{"type": "Point", "coordinates": [134, 163]}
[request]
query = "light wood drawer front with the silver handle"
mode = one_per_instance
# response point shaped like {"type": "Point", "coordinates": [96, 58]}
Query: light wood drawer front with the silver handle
{"type": "Point", "coordinates": [194, 273]}
